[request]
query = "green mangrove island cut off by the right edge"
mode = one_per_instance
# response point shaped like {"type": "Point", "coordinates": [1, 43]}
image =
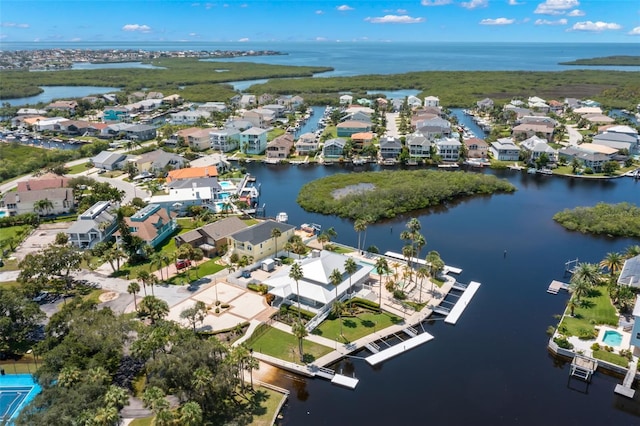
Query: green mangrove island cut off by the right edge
{"type": "Point", "coordinates": [619, 220]}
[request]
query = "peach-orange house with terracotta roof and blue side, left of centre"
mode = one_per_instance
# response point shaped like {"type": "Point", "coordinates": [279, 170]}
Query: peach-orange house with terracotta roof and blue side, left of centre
{"type": "Point", "coordinates": [152, 224]}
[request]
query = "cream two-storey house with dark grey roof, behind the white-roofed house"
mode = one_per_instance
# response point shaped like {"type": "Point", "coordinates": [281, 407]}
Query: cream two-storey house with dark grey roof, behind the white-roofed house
{"type": "Point", "coordinates": [257, 241]}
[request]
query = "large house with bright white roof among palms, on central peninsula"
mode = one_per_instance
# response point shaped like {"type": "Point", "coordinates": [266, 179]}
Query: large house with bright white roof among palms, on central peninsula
{"type": "Point", "coordinates": [315, 290]}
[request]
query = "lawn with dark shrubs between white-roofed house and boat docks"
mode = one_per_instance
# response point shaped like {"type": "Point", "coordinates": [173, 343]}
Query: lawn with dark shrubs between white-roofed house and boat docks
{"type": "Point", "coordinates": [356, 327]}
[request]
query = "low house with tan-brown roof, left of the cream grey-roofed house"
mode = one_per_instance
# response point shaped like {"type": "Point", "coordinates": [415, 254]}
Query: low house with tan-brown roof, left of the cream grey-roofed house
{"type": "Point", "coordinates": [213, 238]}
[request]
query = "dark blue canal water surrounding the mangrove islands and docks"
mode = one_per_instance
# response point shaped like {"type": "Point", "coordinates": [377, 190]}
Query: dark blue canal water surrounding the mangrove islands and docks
{"type": "Point", "coordinates": [493, 366]}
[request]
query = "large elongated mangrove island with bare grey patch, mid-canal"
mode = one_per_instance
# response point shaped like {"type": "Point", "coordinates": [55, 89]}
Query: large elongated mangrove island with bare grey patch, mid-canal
{"type": "Point", "coordinates": [381, 195]}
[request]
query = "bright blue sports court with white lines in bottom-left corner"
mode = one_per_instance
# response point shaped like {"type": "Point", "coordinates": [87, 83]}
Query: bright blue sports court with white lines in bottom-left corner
{"type": "Point", "coordinates": [16, 391]}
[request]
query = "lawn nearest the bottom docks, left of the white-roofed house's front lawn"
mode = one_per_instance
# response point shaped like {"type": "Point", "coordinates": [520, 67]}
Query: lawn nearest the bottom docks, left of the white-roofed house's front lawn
{"type": "Point", "coordinates": [283, 345]}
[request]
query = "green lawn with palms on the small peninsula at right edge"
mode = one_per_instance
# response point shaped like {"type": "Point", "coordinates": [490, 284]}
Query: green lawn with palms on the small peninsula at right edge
{"type": "Point", "coordinates": [595, 309]}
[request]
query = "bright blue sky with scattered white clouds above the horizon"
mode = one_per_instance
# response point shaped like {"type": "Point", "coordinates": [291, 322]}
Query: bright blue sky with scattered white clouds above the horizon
{"type": "Point", "coordinates": [321, 21]}
